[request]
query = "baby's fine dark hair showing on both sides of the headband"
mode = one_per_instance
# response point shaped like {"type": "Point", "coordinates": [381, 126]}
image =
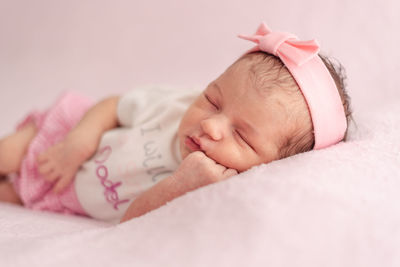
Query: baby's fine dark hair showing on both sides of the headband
{"type": "Point", "coordinates": [269, 74]}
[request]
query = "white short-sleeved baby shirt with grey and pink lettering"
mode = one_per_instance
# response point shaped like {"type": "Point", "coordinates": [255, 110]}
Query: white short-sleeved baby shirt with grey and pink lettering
{"type": "Point", "coordinates": [132, 158]}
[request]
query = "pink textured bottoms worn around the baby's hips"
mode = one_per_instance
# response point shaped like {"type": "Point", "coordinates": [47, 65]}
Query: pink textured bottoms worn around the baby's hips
{"type": "Point", "coordinates": [53, 125]}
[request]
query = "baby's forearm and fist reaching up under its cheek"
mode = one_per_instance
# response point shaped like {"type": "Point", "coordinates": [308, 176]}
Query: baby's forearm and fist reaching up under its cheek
{"type": "Point", "coordinates": [195, 171]}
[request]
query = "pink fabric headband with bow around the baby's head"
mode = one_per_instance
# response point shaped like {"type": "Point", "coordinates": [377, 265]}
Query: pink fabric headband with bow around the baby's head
{"type": "Point", "coordinates": [314, 79]}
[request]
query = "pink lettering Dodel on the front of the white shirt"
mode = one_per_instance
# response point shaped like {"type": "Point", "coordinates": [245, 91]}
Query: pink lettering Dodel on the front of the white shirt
{"type": "Point", "coordinates": [110, 192]}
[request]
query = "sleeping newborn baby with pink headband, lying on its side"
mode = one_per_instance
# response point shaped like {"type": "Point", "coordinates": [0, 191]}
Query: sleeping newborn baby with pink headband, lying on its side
{"type": "Point", "coordinates": [279, 99]}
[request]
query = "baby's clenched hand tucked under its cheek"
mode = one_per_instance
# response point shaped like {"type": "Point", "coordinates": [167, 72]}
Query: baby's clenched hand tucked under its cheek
{"type": "Point", "coordinates": [198, 170]}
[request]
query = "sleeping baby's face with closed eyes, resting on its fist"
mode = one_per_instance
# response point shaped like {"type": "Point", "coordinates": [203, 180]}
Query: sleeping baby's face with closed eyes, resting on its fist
{"type": "Point", "coordinates": [233, 124]}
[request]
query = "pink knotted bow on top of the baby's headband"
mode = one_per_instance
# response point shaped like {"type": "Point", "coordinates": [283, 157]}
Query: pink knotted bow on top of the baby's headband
{"type": "Point", "coordinates": [283, 44]}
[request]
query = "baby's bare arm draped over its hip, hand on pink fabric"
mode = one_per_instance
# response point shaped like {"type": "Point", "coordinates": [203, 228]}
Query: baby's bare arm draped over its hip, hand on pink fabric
{"type": "Point", "coordinates": [60, 162]}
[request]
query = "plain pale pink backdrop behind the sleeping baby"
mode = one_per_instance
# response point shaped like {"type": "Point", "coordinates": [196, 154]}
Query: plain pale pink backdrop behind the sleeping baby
{"type": "Point", "coordinates": [107, 47]}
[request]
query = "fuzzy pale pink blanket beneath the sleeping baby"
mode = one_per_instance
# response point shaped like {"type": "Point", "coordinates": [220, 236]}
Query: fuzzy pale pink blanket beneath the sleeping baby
{"type": "Point", "coordinates": [333, 207]}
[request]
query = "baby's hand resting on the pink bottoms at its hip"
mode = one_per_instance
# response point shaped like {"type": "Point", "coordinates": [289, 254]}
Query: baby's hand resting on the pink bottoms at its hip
{"type": "Point", "coordinates": [60, 162]}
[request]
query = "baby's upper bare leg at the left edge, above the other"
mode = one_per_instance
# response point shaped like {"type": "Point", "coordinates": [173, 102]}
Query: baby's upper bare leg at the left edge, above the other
{"type": "Point", "coordinates": [13, 148]}
